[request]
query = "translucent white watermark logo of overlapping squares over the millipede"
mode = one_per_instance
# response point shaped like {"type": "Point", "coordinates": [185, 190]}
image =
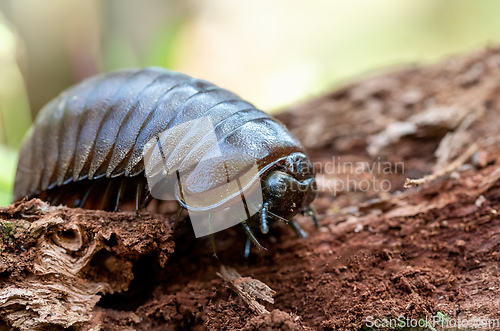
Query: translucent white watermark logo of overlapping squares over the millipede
{"type": "Point", "coordinates": [185, 163]}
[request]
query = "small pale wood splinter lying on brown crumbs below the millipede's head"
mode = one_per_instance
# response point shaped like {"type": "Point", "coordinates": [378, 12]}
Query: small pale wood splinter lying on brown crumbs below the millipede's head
{"type": "Point", "coordinates": [248, 289]}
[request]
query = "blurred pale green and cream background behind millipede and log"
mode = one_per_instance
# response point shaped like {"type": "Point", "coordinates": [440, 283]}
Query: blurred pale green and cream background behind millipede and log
{"type": "Point", "coordinates": [272, 52]}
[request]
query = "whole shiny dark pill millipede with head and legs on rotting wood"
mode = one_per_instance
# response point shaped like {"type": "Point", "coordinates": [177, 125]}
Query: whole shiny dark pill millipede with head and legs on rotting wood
{"type": "Point", "coordinates": [88, 147]}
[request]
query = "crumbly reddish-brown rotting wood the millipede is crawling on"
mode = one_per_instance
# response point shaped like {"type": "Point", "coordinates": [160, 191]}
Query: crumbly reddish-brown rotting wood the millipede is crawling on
{"type": "Point", "coordinates": [379, 251]}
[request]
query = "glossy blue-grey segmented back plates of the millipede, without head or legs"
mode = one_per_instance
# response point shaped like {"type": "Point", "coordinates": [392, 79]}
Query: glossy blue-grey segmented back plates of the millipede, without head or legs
{"type": "Point", "coordinates": [100, 127]}
